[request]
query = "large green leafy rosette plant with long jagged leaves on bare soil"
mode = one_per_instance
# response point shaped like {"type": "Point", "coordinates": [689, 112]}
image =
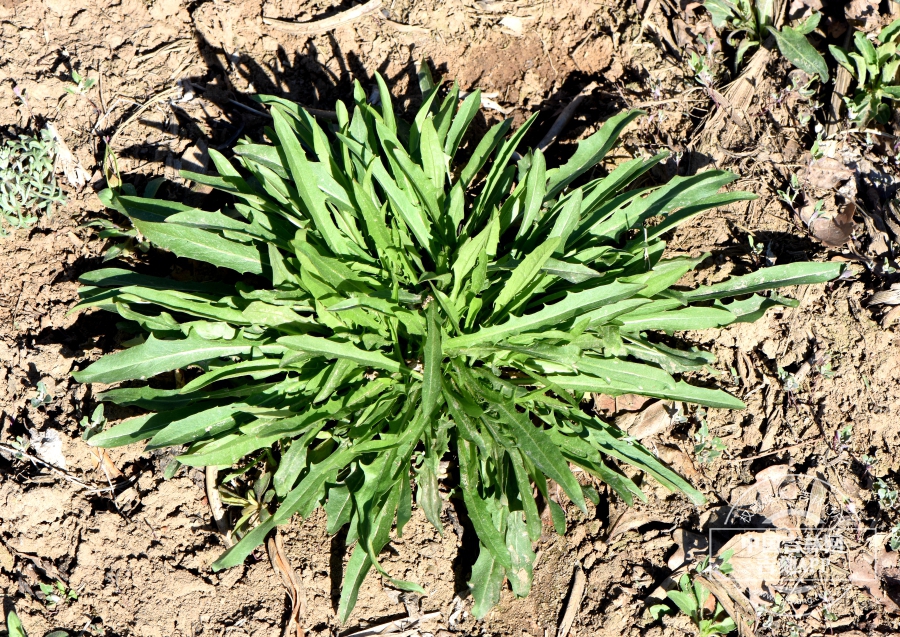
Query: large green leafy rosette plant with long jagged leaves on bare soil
{"type": "Point", "coordinates": [395, 305]}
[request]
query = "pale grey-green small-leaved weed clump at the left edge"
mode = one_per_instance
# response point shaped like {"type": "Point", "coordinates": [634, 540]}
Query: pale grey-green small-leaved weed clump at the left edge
{"type": "Point", "coordinates": [28, 184]}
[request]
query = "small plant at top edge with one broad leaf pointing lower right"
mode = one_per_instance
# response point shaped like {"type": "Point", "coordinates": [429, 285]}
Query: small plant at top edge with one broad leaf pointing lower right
{"type": "Point", "coordinates": [750, 21]}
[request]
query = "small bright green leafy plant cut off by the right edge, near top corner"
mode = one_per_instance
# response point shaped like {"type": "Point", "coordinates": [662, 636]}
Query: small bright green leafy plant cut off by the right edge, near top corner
{"type": "Point", "coordinates": [875, 71]}
